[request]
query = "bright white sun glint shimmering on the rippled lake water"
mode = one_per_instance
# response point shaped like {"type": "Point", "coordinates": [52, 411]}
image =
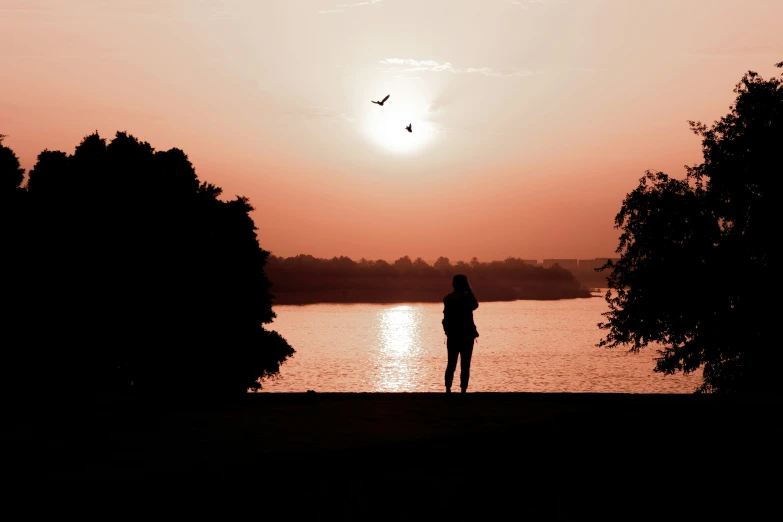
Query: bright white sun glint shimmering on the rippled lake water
{"type": "Point", "coordinates": [398, 351]}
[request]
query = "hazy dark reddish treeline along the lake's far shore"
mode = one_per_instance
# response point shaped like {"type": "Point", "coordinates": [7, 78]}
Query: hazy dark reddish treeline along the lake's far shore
{"type": "Point", "coordinates": [305, 279]}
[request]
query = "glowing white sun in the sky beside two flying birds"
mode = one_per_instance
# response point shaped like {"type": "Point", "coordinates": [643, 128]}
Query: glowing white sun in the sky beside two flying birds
{"type": "Point", "coordinates": [385, 126]}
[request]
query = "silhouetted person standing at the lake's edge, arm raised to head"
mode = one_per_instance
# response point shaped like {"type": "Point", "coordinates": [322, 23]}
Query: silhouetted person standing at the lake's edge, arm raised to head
{"type": "Point", "coordinates": [460, 330]}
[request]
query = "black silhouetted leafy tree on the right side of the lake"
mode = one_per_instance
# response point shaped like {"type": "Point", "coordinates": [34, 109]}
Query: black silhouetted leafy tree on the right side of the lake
{"type": "Point", "coordinates": [698, 259]}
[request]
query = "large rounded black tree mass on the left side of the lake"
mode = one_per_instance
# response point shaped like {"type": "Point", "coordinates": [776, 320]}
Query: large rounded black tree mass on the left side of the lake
{"type": "Point", "coordinates": [128, 272]}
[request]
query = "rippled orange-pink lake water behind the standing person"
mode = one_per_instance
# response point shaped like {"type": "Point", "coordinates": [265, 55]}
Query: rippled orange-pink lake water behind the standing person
{"type": "Point", "coordinates": [524, 346]}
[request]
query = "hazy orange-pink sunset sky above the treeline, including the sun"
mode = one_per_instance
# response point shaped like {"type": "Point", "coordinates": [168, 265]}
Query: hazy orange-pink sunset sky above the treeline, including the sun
{"type": "Point", "coordinates": [531, 119]}
